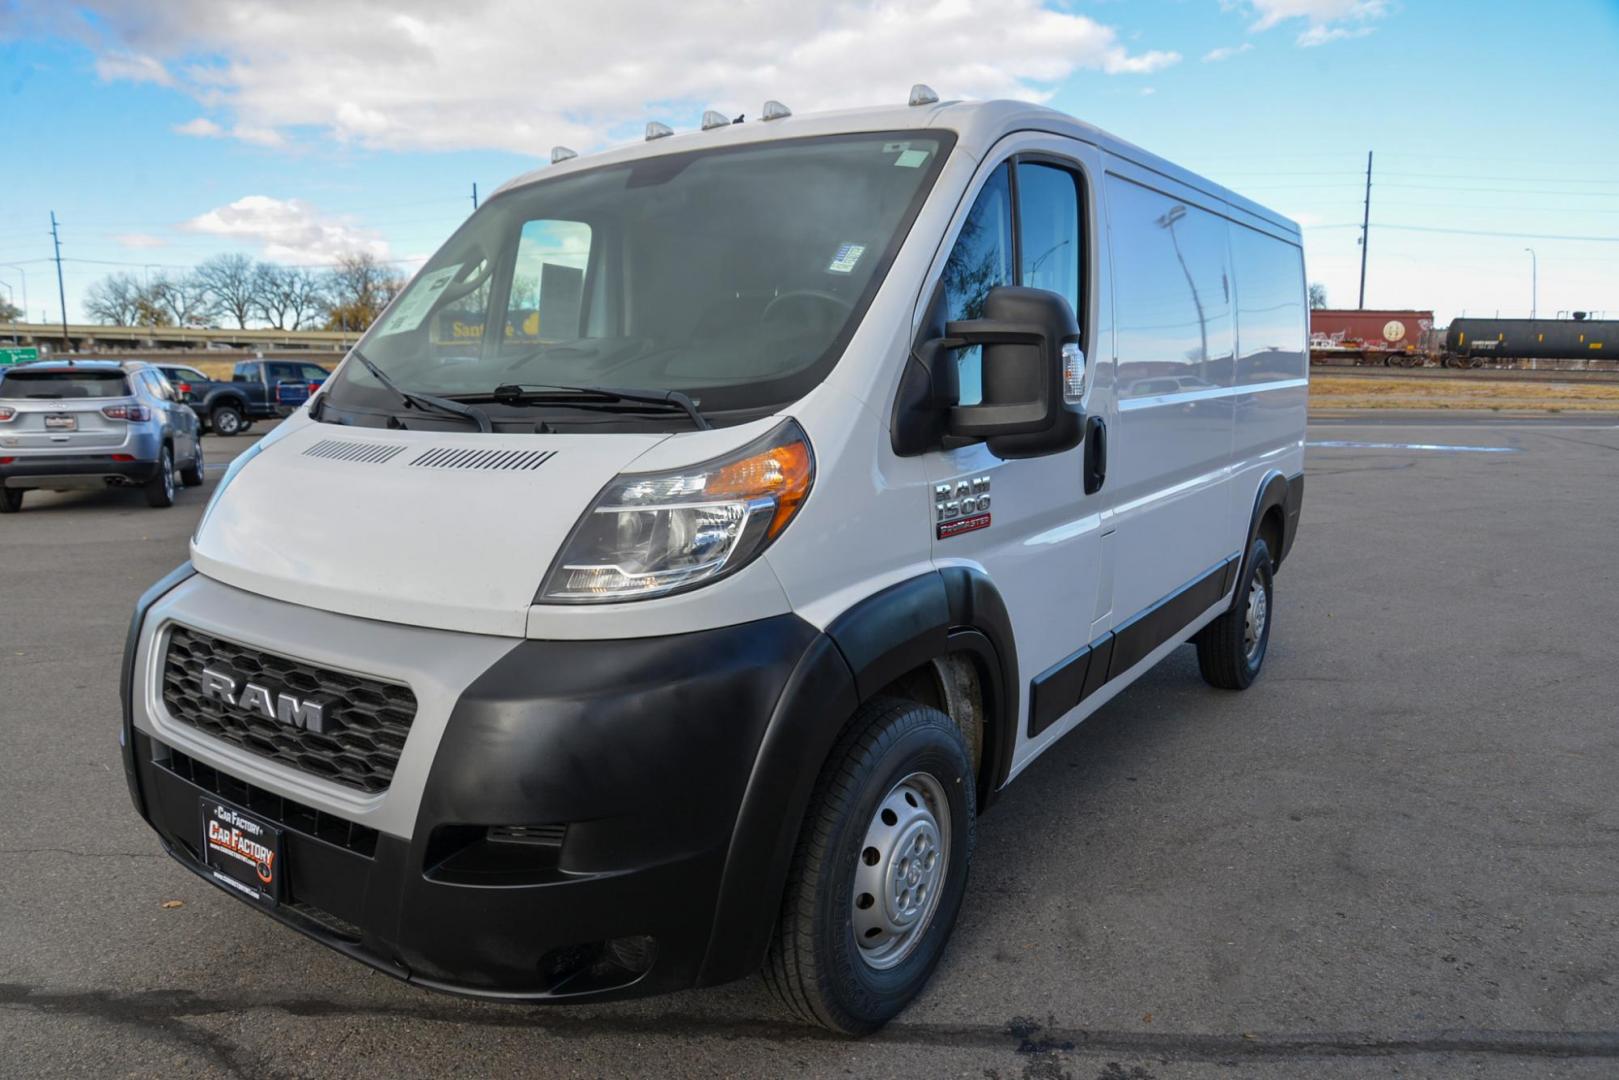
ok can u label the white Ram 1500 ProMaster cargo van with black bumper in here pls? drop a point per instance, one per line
(708, 534)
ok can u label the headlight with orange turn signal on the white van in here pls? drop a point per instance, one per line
(660, 534)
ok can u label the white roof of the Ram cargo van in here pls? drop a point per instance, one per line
(977, 127)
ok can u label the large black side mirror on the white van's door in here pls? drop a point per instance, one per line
(1032, 357)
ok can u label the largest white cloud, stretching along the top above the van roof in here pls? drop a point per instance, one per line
(522, 77)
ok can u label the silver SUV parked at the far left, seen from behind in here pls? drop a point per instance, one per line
(96, 423)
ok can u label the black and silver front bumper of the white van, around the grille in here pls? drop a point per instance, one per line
(631, 760)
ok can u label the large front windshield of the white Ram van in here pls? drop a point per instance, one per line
(734, 276)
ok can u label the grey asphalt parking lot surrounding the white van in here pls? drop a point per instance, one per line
(1395, 856)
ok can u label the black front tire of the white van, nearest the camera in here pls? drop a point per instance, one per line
(815, 966)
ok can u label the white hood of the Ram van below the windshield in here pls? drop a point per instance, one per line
(427, 529)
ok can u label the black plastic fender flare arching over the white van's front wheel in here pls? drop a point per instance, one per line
(956, 610)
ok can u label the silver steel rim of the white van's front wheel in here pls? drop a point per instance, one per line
(901, 870)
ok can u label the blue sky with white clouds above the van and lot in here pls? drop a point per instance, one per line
(295, 130)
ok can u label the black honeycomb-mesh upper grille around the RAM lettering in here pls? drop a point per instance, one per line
(367, 720)
